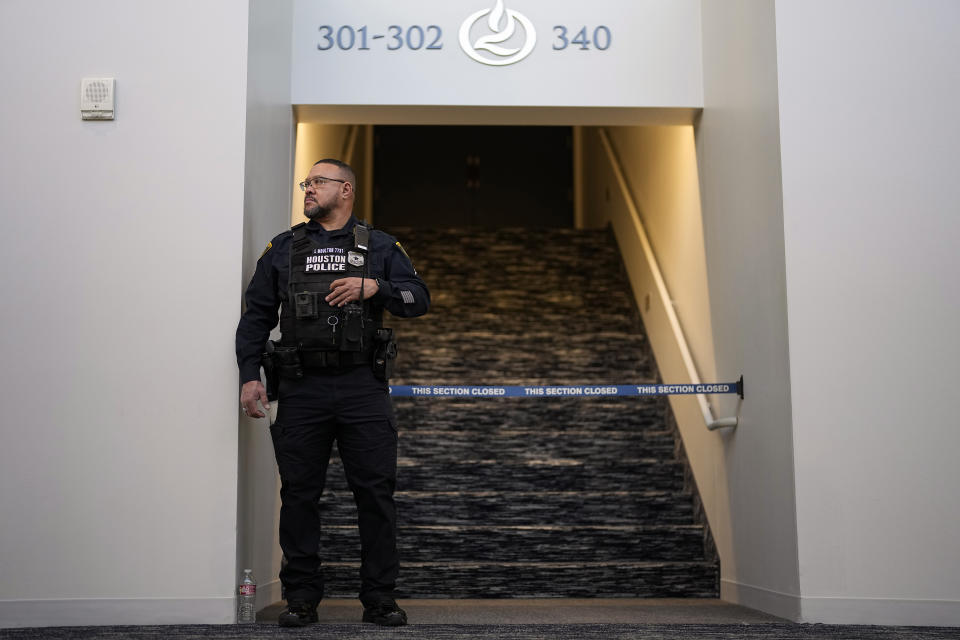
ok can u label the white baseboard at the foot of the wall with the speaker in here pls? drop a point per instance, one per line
(121, 611)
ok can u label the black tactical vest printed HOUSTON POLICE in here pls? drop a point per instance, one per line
(307, 321)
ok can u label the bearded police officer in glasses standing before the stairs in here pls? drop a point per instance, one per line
(330, 278)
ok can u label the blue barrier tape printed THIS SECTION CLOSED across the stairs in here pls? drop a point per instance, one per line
(409, 391)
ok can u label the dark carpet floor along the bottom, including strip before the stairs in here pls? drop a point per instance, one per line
(556, 619)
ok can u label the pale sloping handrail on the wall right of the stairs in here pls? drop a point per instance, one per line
(691, 367)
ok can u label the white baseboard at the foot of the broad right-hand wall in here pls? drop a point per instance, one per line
(882, 611)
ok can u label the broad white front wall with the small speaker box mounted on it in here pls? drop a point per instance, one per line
(118, 468)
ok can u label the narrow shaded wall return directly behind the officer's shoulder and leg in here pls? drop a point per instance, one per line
(266, 212)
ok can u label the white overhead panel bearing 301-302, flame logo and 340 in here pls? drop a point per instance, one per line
(642, 53)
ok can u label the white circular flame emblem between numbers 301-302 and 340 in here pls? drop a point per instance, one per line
(502, 25)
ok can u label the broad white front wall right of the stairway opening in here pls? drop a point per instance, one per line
(868, 92)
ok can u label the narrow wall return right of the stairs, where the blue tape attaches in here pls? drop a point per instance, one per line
(738, 152)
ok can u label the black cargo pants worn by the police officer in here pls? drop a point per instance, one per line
(352, 408)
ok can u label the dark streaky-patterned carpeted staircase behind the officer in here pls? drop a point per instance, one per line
(511, 497)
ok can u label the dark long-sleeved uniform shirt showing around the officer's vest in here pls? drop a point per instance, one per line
(402, 292)
